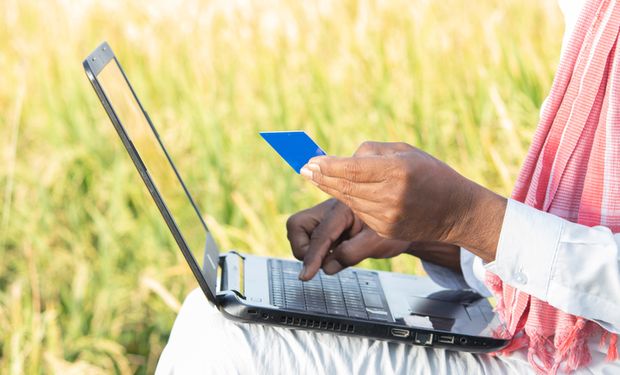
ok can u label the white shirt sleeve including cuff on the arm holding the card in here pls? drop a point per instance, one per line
(572, 267)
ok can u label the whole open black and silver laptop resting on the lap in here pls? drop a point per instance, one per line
(262, 290)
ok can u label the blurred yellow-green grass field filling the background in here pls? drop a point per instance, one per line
(90, 279)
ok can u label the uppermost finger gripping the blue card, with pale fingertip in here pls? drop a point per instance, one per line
(357, 168)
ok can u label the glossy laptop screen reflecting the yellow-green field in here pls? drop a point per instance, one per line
(184, 215)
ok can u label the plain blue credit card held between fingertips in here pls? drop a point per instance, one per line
(295, 147)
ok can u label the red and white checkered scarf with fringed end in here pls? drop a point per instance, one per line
(572, 170)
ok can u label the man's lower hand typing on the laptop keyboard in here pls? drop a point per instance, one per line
(331, 237)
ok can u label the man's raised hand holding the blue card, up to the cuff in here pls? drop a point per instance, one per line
(403, 193)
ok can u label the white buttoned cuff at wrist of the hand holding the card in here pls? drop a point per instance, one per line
(527, 249)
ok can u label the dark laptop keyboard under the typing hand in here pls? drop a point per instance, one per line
(350, 293)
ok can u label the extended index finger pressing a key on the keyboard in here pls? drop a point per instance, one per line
(323, 238)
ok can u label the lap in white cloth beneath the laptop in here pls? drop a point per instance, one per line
(204, 341)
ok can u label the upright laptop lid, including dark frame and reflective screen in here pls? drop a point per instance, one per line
(155, 166)
